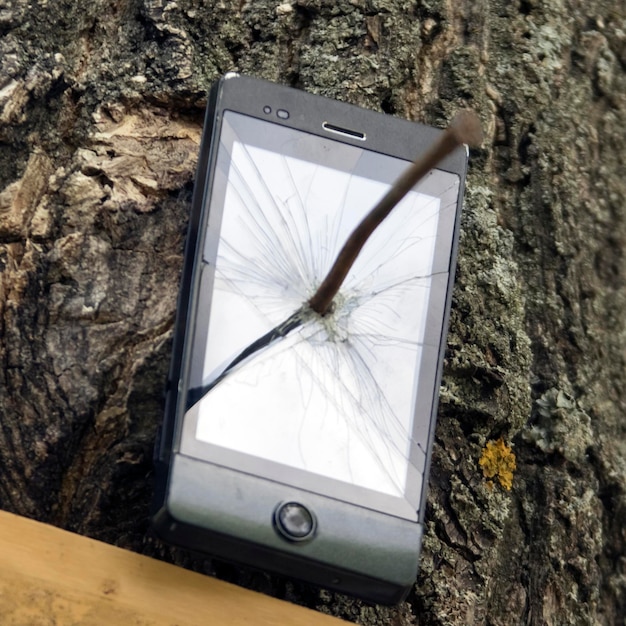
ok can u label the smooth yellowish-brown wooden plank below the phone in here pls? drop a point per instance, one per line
(52, 577)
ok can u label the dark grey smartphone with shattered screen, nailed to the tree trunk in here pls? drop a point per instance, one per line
(306, 451)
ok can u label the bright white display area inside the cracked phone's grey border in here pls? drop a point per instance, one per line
(336, 396)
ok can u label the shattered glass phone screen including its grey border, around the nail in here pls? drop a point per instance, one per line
(341, 404)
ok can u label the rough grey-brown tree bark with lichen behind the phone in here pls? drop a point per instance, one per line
(101, 109)
